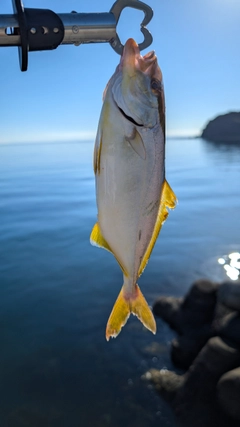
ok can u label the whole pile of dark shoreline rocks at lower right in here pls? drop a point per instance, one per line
(207, 347)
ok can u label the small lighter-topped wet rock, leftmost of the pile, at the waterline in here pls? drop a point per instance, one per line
(167, 383)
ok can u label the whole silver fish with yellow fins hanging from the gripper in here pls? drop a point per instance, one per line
(132, 193)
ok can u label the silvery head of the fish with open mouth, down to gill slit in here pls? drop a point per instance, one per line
(137, 87)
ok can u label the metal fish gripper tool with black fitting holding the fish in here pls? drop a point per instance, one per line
(42, 29)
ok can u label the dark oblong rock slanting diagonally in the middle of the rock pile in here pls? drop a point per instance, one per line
(186, 347)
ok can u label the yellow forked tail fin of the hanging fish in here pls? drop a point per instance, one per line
(123, 307)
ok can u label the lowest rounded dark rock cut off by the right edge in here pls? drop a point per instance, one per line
(228, 393)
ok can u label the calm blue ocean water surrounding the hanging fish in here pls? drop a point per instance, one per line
(57, 291)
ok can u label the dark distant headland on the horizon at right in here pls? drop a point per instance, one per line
(224, 128)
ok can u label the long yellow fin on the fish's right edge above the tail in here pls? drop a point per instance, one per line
(168, 200)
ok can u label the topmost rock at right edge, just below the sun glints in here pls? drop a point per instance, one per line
(229, 295)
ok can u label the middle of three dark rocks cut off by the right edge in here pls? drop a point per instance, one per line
(229, 328)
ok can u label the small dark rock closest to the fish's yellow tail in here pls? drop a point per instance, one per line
(168, 309)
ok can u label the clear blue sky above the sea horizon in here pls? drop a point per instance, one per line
(60, 96)
